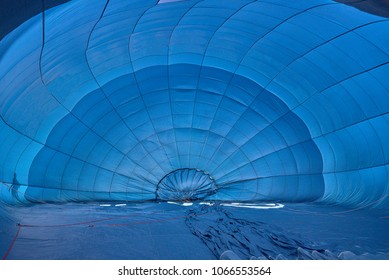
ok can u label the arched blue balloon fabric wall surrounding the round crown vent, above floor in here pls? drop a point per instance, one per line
(275, 100)
